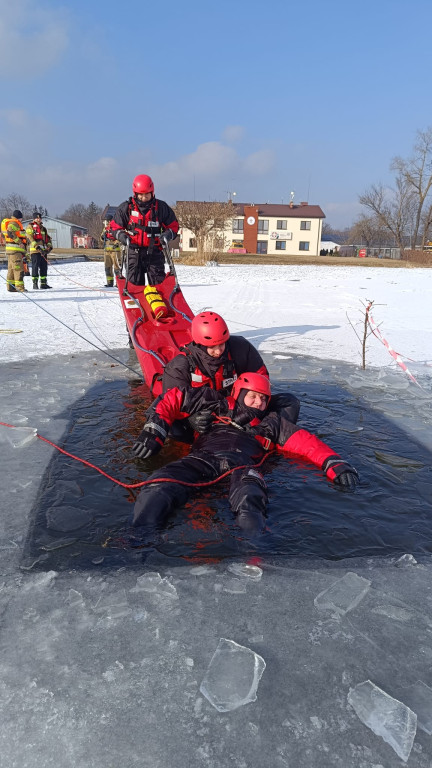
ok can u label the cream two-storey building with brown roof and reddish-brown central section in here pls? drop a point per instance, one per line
(292, 229)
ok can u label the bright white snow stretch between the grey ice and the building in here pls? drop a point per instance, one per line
(286, 309)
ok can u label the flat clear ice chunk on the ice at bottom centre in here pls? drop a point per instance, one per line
(232, 677)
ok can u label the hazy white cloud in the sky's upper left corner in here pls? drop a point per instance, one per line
(32, 38)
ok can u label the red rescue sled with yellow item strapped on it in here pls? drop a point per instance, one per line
(158, 320)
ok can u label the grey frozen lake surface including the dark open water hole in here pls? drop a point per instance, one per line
(118, 657)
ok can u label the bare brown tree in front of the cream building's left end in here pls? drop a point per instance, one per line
(206, 221)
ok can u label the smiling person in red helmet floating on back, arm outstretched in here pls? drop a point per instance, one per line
(242, 432)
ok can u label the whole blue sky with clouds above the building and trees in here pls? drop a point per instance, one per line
(209, 98)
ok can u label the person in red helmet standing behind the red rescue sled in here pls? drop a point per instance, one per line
(147, 222)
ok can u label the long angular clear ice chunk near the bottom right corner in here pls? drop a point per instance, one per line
(385, 716)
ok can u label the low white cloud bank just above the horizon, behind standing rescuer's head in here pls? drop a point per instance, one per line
(109, 179)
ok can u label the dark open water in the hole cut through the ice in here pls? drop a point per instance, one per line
(377, 420)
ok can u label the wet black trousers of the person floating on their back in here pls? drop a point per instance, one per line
(247, 493)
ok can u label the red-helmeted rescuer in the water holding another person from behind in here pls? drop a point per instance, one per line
(215, 359)
